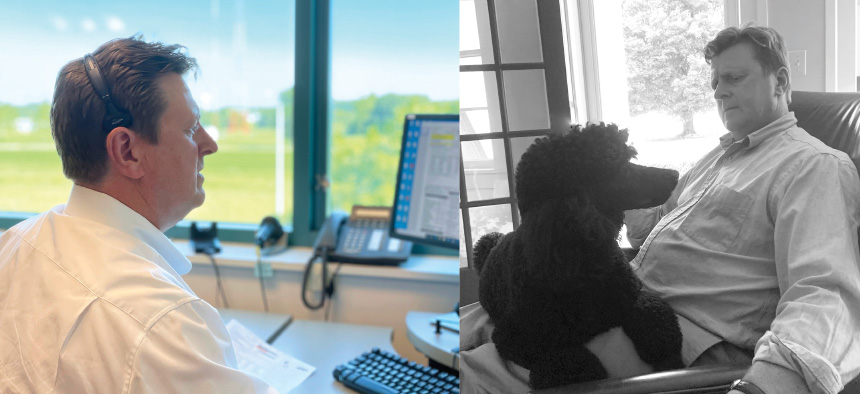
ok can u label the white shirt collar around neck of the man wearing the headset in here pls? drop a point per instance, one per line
(104, 209)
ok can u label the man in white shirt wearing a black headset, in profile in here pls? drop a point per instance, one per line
(91, 298)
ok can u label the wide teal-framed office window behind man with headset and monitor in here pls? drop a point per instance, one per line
(270, 91)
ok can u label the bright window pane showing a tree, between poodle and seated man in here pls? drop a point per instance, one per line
(658, 80)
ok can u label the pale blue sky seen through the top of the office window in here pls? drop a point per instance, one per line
(244, 47)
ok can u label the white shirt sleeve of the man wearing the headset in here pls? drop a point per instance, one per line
(188, 350)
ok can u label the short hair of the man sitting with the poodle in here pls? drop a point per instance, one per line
(767, 44)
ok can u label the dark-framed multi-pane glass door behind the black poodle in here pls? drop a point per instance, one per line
(509, 58)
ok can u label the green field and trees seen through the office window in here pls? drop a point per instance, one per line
(240, 178)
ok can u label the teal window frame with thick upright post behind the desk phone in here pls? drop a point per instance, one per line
(311, 122)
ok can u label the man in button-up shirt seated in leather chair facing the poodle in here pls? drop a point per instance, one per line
(757, 251)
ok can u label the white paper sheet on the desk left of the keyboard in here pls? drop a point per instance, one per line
(257, 357)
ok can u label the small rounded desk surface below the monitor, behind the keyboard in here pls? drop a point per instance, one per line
(437, 347)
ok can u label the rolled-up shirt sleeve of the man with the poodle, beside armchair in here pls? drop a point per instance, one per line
(815, 211)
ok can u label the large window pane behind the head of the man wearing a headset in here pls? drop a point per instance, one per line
(243, 88)
